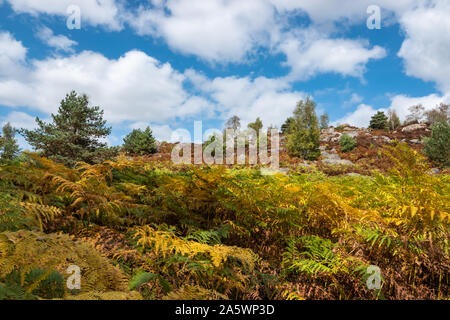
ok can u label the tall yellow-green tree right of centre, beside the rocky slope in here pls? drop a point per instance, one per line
(304, 133)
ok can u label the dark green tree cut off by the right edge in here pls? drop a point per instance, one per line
(437, 146)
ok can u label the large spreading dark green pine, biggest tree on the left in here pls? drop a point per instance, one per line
(74, 135)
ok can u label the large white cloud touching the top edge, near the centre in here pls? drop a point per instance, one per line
(215, 30)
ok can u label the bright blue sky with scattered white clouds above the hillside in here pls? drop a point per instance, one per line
(168, 63)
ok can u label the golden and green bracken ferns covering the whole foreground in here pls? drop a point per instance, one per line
(141, 230)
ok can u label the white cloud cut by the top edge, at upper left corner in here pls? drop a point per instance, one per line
(96, 13)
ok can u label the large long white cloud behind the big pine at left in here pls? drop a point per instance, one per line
(134, 87)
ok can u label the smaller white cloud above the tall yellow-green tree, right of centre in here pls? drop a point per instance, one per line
(308, 57)
